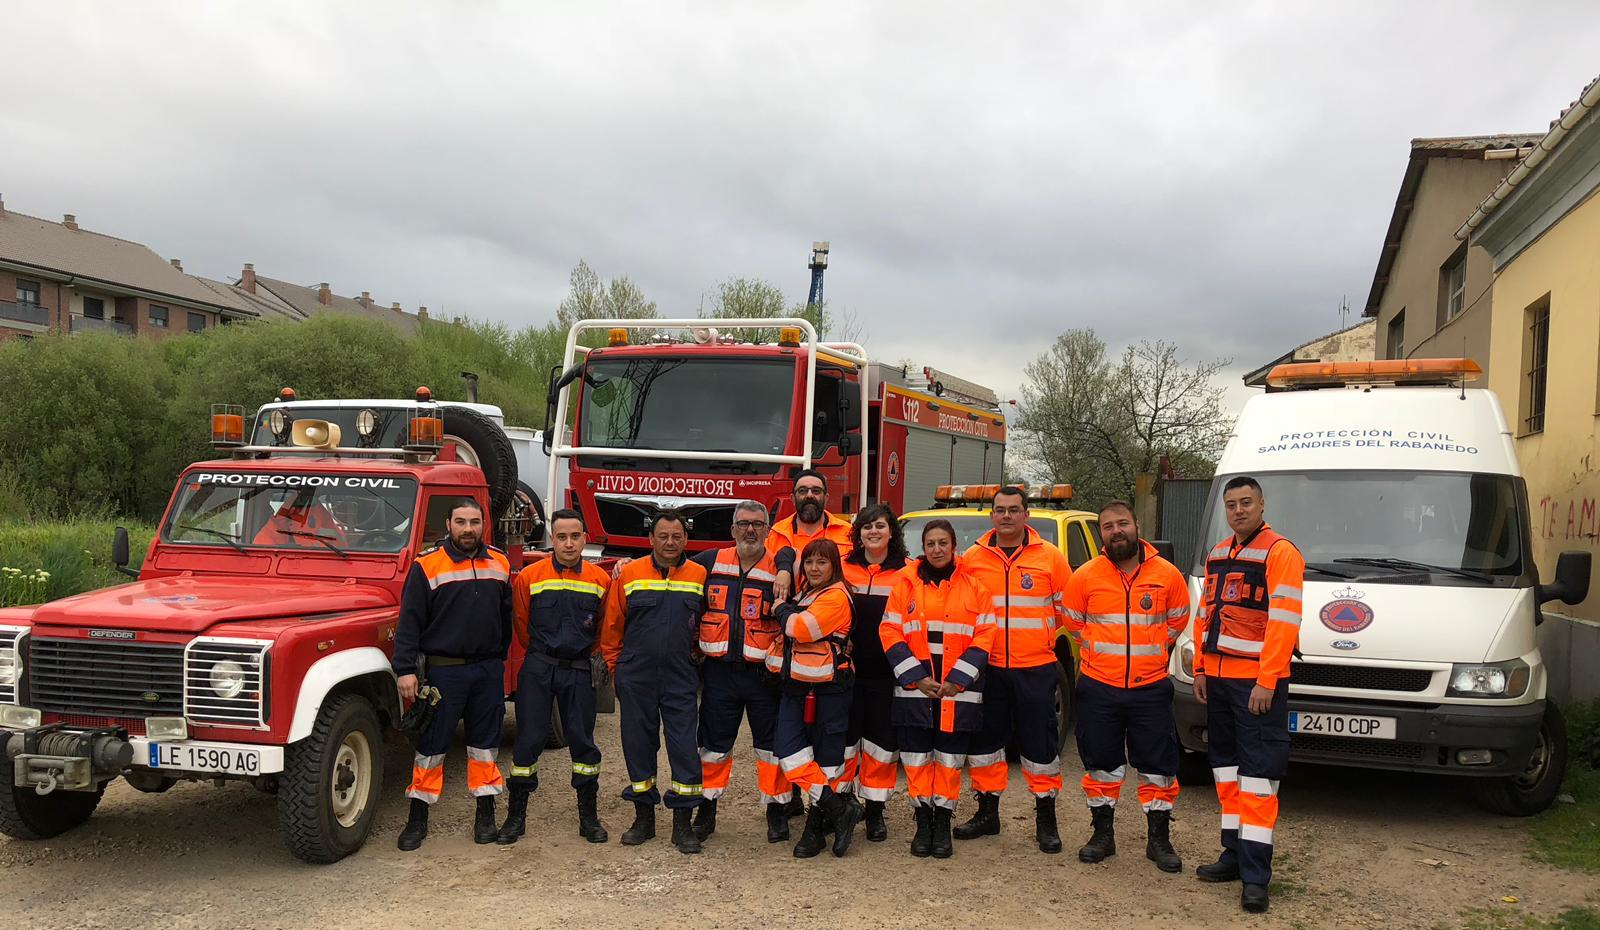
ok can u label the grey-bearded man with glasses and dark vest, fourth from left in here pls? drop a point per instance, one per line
(735, 635)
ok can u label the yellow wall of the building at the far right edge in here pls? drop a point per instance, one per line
(1562, 463)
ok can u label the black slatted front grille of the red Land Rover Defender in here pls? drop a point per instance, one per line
(113, 679)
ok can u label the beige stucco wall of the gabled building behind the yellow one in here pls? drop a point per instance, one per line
(1449, 193)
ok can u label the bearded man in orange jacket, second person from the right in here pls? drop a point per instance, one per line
(1126, 609)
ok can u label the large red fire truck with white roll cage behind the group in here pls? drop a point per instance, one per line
(692, 419)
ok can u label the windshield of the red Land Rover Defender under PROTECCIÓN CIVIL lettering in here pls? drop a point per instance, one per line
(294, 511)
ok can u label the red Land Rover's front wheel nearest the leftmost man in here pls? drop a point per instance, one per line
(330, 784)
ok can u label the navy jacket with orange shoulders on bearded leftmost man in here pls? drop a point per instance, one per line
(454, 606)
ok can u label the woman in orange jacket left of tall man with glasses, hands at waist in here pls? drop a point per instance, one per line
(937, 633)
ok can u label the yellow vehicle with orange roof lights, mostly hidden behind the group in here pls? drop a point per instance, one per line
(1074, 532)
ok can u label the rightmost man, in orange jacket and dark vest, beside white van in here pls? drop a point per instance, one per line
(1246, 635)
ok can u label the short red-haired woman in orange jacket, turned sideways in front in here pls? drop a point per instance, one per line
(812, 662)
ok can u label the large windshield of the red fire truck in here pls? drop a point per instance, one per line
(689, 404)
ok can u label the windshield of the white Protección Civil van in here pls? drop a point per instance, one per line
(1454, 521)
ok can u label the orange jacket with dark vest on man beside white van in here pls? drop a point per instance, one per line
(1249, 617)
